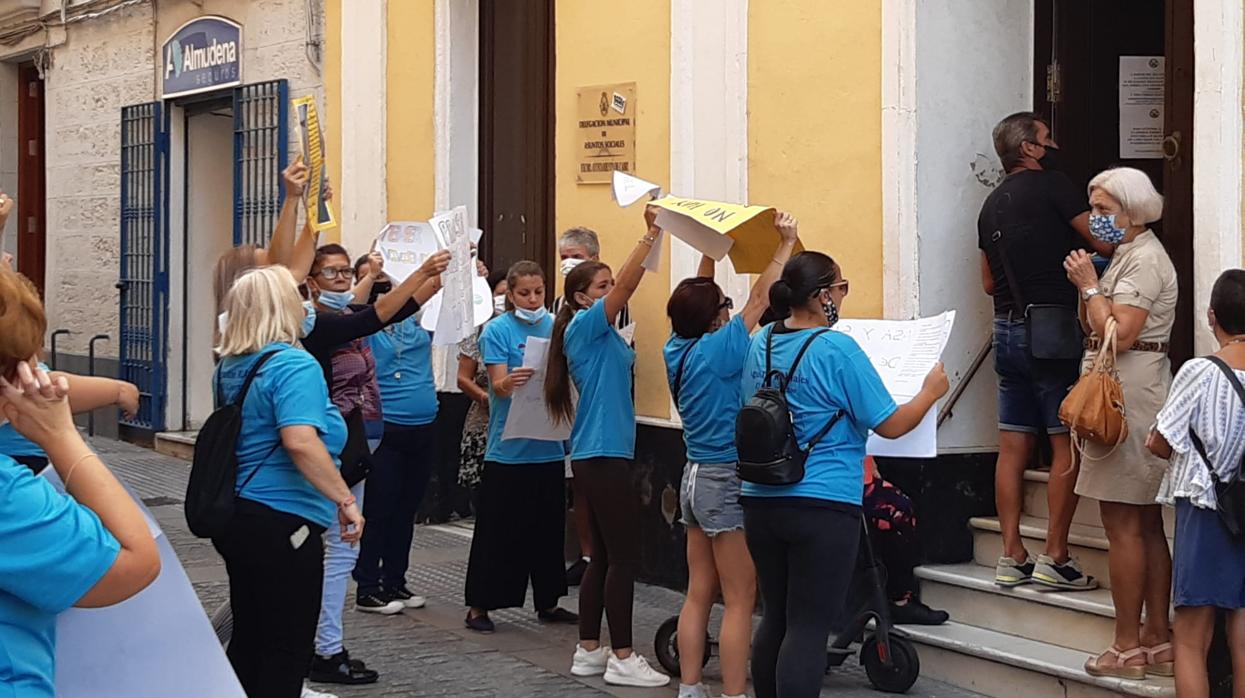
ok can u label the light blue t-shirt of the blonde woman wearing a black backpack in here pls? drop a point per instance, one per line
(289, 391)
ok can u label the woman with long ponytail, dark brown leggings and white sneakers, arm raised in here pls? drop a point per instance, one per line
(588, 350)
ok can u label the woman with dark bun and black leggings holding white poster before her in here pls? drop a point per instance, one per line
(804, 537)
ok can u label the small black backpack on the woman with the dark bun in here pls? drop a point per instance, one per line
(765, 436)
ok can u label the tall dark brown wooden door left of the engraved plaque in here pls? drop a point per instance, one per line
(516, 139)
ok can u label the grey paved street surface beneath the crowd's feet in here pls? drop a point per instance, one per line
(428, 651)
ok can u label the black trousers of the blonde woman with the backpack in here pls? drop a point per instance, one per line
(275, 594)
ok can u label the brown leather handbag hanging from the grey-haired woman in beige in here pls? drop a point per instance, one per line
(1095, 407)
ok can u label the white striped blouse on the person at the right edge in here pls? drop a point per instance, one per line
(1203, 399)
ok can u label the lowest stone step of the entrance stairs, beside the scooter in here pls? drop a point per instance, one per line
(1007, 666)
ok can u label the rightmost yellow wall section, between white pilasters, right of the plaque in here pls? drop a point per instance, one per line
(815, 131)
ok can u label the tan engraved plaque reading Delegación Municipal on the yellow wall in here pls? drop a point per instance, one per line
(606, 118)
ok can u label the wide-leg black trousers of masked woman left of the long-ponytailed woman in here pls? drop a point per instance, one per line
(520, 534)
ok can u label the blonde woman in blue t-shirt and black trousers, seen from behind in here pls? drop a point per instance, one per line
(289, 488)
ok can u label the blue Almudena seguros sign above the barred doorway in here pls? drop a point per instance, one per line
(205, 54)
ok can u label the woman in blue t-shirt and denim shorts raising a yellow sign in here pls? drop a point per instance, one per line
(704, 364)
